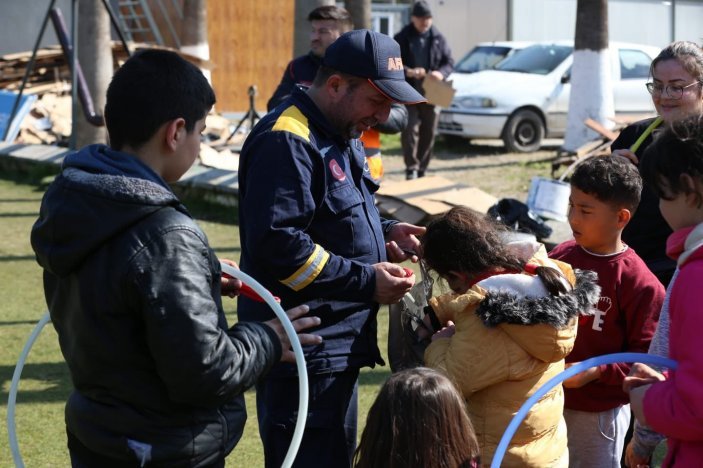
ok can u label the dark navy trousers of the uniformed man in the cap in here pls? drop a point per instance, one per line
(330, 431)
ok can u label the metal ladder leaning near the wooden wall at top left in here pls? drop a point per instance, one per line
(136, 20)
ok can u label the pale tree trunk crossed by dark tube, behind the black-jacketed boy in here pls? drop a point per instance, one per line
(95, 58)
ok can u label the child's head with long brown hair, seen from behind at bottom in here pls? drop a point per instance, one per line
(418, 420)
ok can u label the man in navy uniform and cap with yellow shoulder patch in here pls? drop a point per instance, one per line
(311, 234)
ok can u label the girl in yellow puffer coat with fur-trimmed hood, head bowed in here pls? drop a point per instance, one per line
(505, 330)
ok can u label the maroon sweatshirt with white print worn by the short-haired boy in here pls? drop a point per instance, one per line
(625, 320)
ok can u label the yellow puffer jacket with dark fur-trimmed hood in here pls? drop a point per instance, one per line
(511, 337)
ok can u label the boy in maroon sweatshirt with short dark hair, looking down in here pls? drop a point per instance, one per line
(605, 192)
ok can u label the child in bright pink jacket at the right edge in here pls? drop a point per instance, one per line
(673, 166)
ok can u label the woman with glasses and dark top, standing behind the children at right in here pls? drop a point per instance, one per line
(677, 92)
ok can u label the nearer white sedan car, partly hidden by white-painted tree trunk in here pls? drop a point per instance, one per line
(525, 97)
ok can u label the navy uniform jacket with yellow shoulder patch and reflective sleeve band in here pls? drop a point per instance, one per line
(310, 231)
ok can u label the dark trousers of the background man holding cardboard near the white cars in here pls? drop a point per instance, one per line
(418, 136)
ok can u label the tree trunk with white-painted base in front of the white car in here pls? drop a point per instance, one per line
(591, 88)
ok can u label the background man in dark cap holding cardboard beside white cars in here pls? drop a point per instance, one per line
(426, 55)
